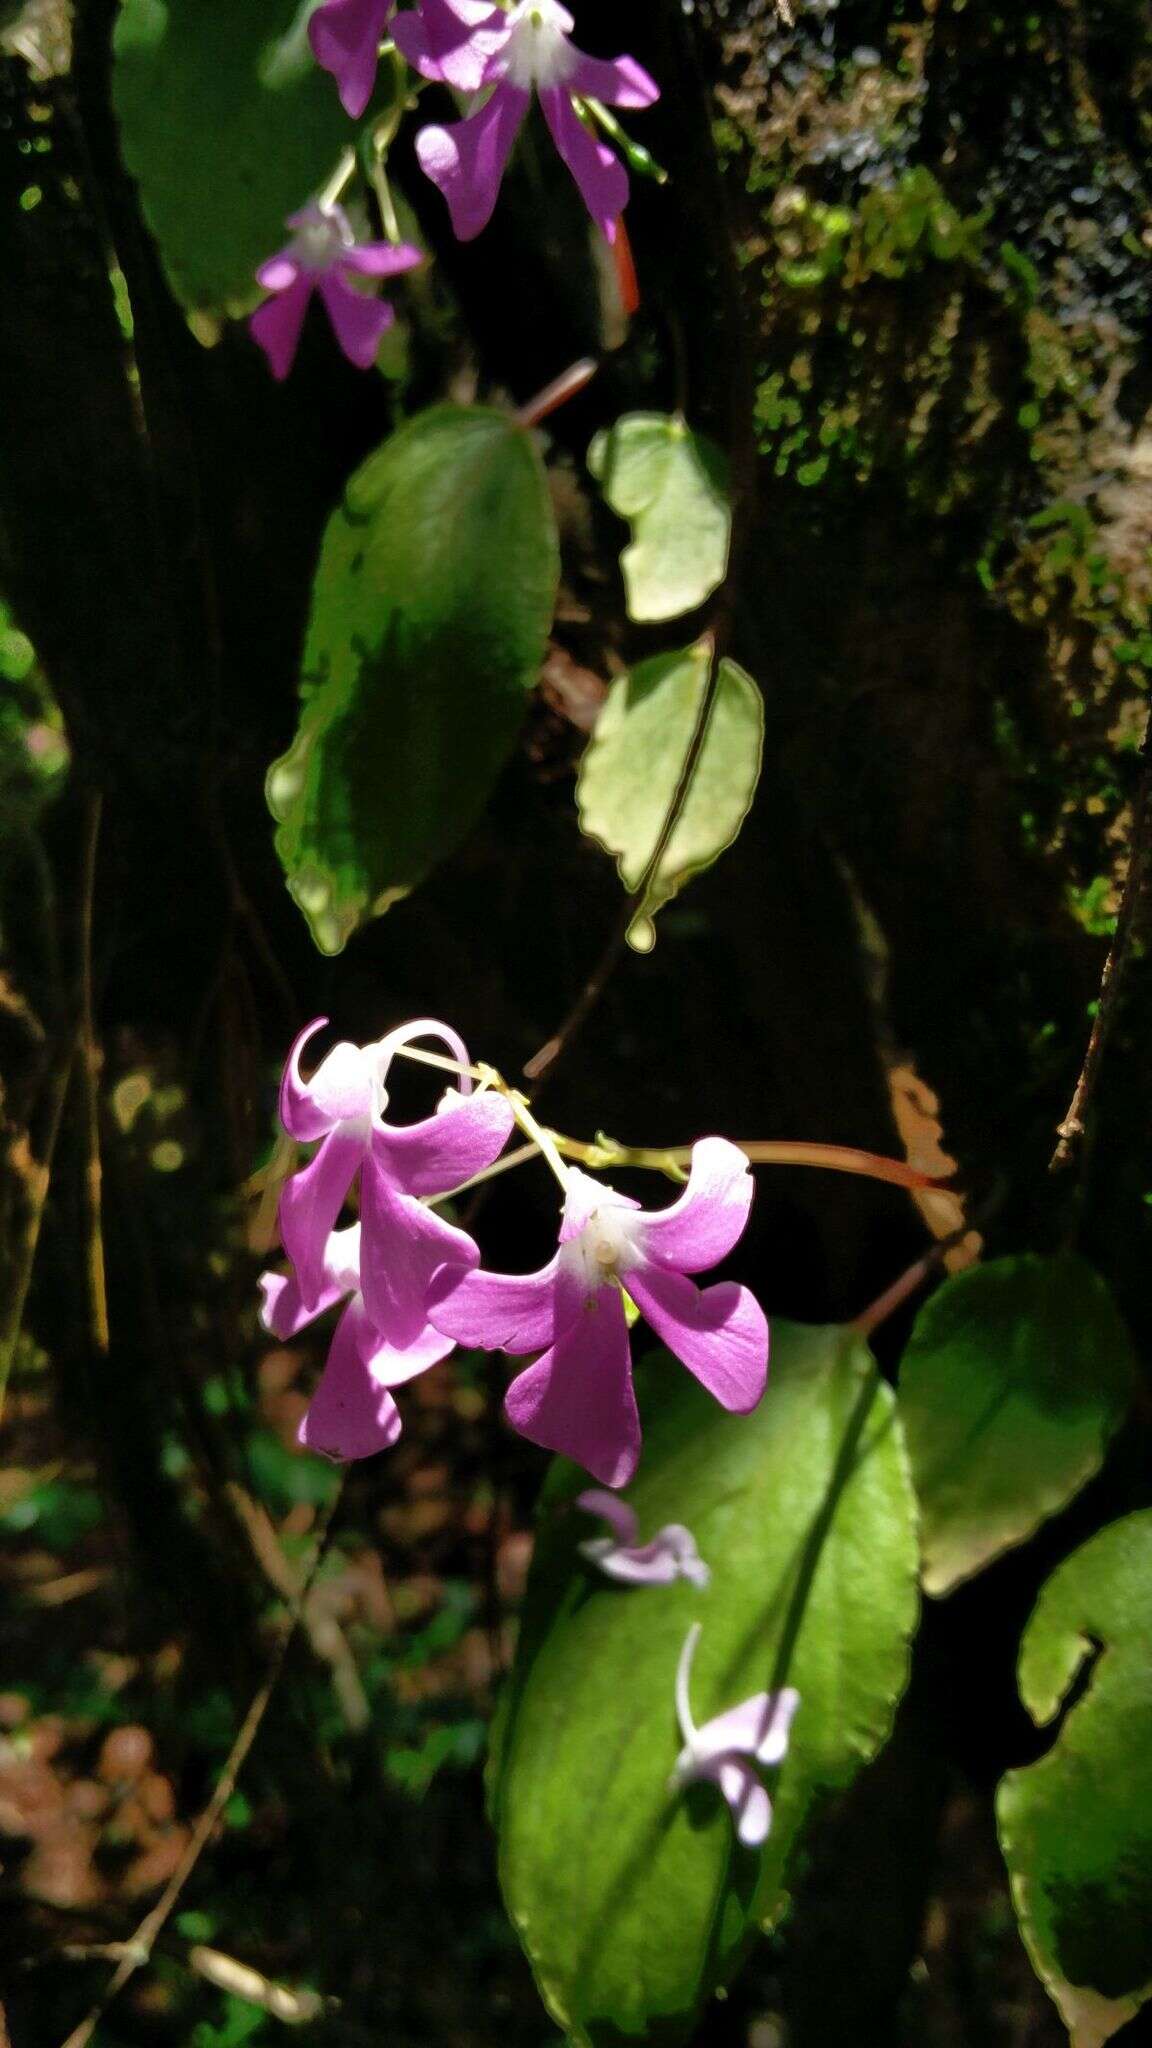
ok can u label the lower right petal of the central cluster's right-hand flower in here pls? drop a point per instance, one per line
(718, 1332)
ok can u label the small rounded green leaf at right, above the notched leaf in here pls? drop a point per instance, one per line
(1014, 1381)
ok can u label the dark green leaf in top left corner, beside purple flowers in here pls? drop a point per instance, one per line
(229, 128)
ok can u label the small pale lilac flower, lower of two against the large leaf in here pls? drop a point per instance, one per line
(725, 1750)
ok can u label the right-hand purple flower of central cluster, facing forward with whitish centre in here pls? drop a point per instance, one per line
(579, 1396)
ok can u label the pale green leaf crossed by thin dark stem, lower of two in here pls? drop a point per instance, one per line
(634, 763)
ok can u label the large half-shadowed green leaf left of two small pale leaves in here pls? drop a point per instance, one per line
(429, 622)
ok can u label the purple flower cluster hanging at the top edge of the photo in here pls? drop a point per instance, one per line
(497, 58)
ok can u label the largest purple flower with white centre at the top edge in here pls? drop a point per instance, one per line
(520, 52)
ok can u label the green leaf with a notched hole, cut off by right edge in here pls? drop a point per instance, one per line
(1077, 1828)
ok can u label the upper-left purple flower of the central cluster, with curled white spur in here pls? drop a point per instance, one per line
(407, 1244)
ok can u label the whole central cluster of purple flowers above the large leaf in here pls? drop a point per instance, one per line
(411, 1281)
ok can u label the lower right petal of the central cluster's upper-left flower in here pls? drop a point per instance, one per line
(405, 1248)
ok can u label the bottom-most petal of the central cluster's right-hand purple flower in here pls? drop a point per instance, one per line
(579, 1396)
